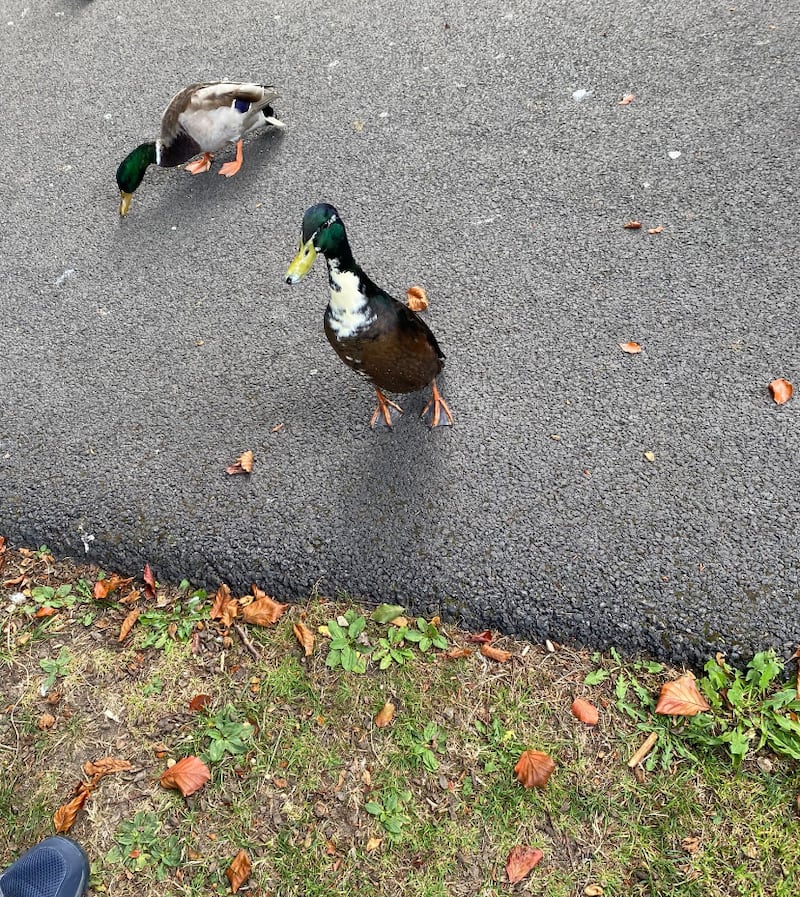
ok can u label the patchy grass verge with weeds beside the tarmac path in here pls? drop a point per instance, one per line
(326, 803)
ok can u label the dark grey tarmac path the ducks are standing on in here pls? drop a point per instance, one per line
(138, 358)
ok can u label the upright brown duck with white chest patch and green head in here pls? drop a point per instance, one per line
(377, 336)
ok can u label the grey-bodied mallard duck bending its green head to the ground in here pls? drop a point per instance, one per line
(202, 118)
